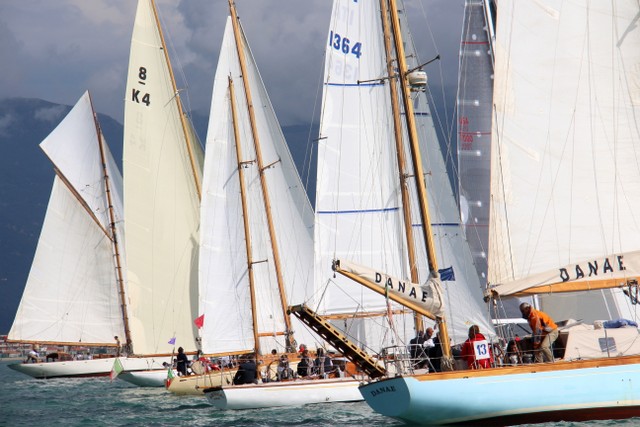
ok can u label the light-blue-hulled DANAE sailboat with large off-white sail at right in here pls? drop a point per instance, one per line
(562, 218)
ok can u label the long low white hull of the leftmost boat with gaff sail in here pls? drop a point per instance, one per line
(66, 369)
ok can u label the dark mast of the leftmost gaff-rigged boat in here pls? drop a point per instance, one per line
(114, 234)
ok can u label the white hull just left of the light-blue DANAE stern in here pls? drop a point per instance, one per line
(290, 393)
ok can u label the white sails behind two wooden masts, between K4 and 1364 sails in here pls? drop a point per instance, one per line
(224, 270)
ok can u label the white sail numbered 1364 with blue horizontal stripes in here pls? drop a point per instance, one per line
(358, 206)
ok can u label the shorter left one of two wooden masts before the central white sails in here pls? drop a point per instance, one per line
(245, 218)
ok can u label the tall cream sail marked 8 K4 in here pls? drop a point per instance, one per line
(161, 199)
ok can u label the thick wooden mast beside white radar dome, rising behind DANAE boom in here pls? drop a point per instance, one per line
(417, 165)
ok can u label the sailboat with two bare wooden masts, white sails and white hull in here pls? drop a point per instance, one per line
(257, 244)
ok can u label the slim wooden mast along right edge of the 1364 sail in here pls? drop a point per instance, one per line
(403, 176)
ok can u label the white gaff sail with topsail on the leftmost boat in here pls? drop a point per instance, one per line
(72, 293)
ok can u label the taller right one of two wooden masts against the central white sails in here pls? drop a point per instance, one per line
(261, 169)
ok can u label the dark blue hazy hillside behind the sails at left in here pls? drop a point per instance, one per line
(26, 177)
